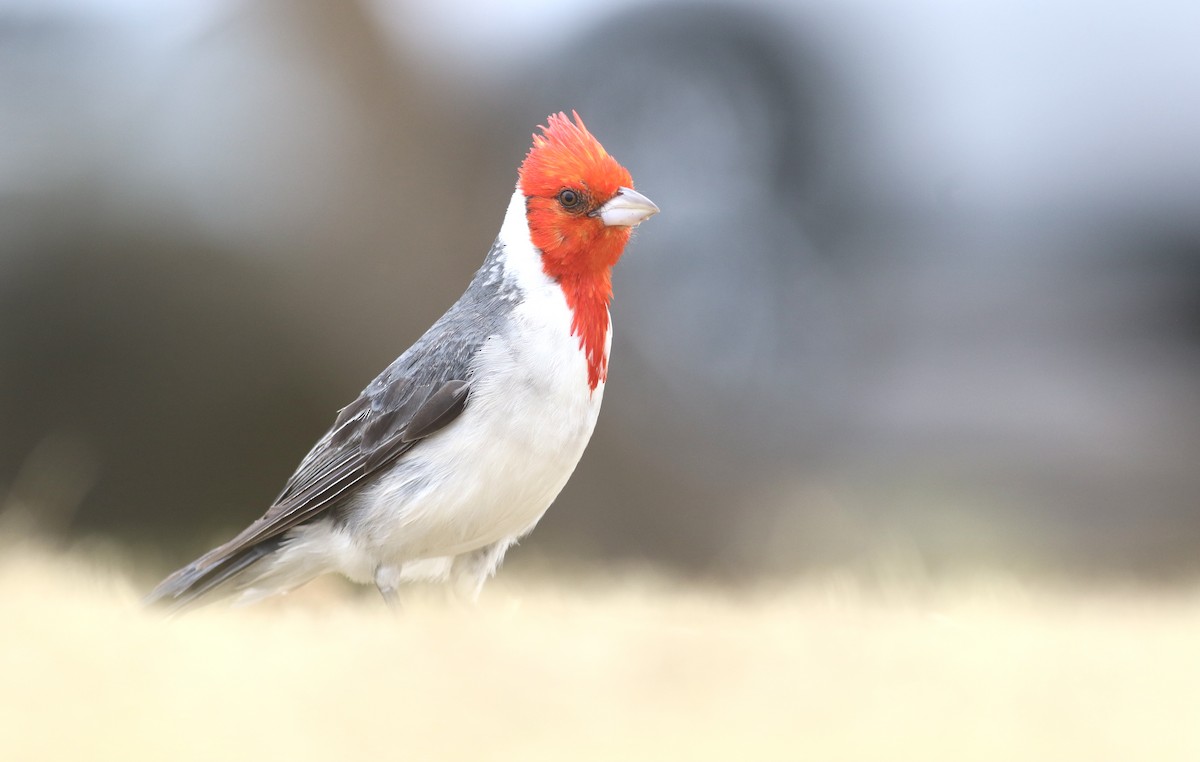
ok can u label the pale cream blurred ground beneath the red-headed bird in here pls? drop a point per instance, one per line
(633, 668)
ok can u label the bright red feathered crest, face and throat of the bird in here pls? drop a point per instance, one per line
(578, 250)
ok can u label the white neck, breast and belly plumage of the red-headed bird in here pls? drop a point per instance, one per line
(495, 471)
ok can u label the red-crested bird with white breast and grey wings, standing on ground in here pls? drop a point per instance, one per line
(458, 448)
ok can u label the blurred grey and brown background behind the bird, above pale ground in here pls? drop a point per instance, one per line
(926, 285)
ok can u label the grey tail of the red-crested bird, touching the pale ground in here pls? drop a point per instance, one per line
(213, 577)
